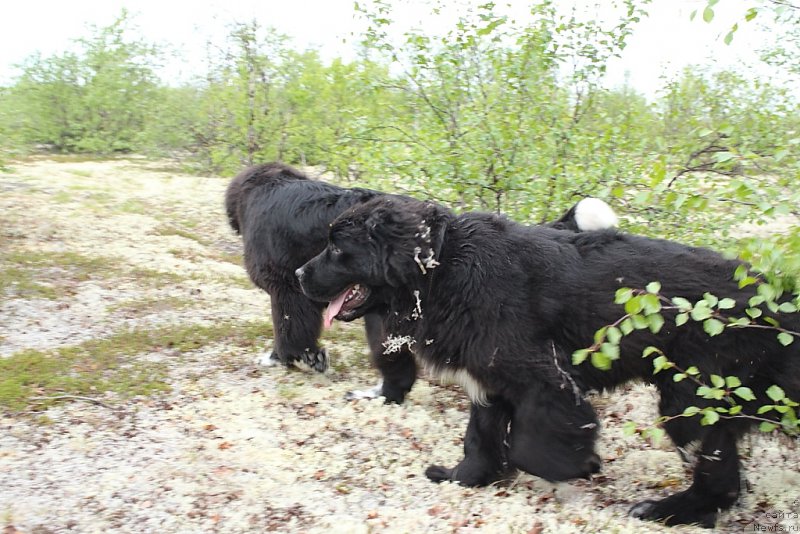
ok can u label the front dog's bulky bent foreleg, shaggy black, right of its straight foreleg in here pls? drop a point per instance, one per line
(553, 432)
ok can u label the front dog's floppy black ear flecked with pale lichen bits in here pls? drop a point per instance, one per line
(410, 234)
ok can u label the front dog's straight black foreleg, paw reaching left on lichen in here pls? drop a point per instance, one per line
(485, 448)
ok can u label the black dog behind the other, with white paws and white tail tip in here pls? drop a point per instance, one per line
(284, 218)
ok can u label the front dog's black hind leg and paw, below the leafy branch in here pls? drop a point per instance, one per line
(715, 487)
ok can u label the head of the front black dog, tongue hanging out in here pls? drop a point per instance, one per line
(374, 249)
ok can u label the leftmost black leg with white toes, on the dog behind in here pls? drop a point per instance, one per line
(297, 323)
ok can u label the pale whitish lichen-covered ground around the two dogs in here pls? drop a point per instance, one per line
(236, 448)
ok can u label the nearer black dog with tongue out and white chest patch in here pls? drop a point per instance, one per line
(501, 307)
